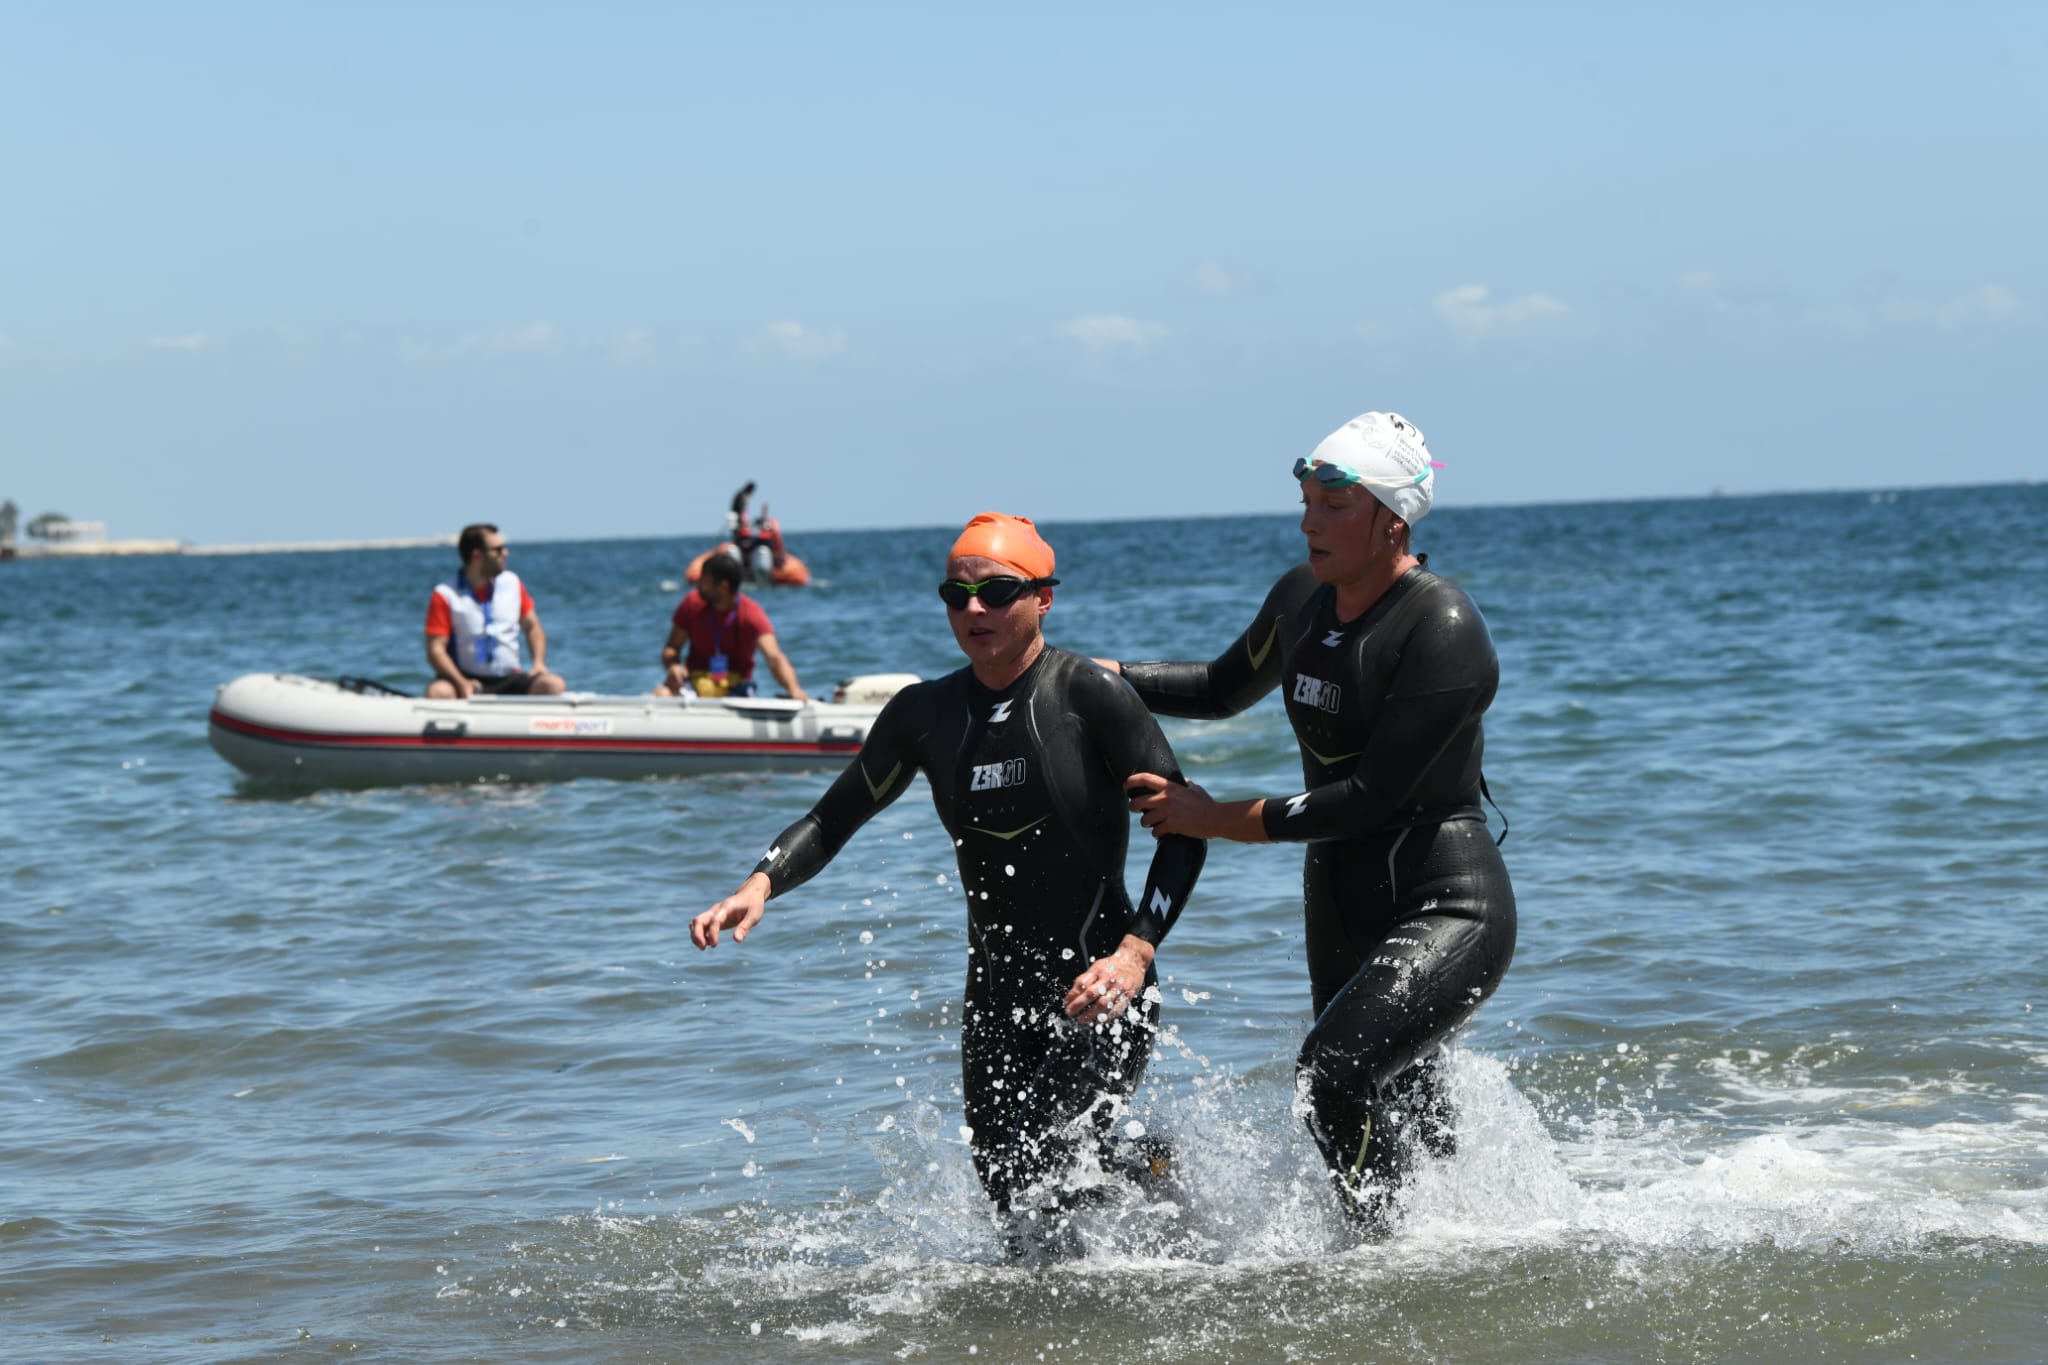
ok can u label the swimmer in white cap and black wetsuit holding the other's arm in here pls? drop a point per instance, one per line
(1410, 914)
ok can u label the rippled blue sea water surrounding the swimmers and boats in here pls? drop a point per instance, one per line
(433, 1073)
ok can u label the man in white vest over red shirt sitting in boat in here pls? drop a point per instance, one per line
(476, 621)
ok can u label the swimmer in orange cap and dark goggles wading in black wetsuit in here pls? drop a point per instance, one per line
(1027, 750)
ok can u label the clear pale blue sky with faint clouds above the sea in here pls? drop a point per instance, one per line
(382, 269)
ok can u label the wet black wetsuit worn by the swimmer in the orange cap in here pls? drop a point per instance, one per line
(1031, 787)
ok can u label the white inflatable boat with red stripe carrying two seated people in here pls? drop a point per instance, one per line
(312, 732)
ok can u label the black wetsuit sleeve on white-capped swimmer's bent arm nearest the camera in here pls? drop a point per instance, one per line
(1439, 693)
